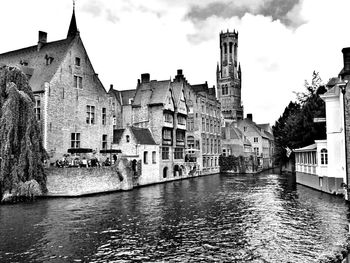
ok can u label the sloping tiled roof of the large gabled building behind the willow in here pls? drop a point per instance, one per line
(36, 60)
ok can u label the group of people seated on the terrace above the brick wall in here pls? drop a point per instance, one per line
(83, 162)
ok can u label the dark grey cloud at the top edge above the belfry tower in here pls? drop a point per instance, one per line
(284, 10)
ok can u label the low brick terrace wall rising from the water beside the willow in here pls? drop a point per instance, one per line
(83, 181)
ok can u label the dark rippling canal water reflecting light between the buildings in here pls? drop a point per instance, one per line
(220, 218)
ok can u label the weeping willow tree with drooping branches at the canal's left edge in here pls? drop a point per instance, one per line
(21, 150)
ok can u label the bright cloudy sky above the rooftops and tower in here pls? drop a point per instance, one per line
(281, 42)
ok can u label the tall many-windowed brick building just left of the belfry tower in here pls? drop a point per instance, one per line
(203, 124)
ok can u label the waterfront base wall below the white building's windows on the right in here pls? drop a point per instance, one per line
(331, 185)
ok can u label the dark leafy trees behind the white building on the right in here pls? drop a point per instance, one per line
(296, 128)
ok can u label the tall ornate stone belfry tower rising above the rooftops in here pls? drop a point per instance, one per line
(228, 77)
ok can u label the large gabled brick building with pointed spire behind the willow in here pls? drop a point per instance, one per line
(74, 109)
